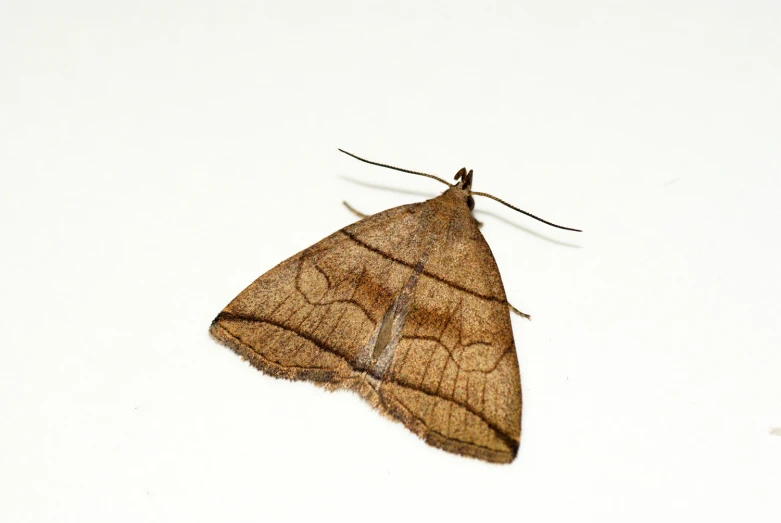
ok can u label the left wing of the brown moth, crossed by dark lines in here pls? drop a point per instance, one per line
(308, 317)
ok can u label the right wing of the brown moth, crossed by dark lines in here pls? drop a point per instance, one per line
(454, 379)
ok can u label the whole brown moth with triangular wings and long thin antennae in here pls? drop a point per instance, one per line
(405, 307)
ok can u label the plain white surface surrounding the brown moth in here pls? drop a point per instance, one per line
(156, 157)
